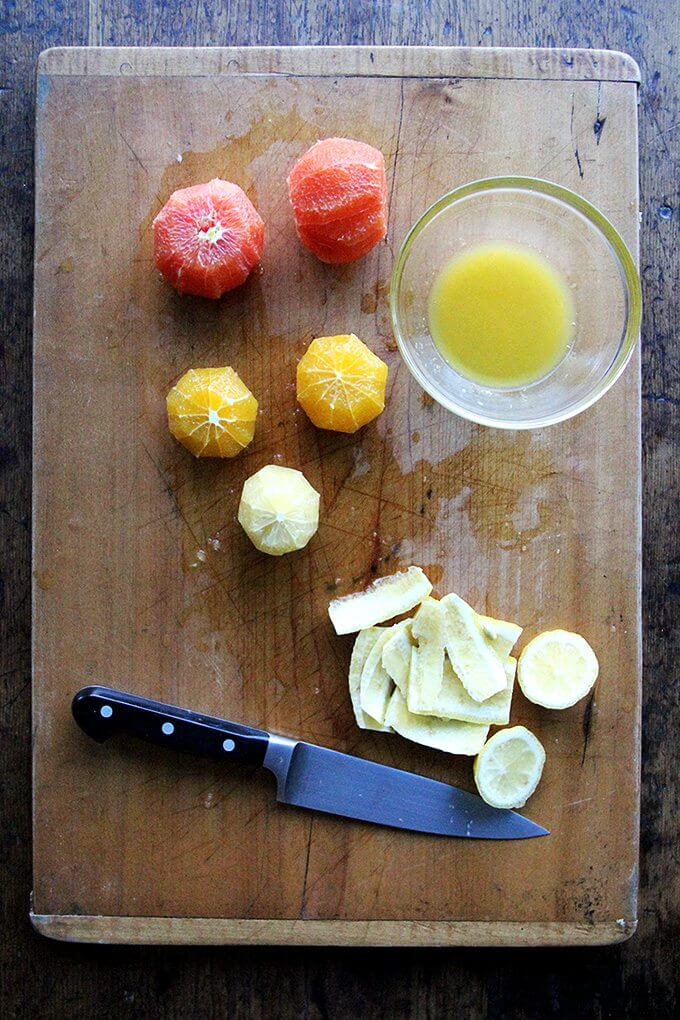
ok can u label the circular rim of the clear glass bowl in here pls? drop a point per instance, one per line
(599, 221)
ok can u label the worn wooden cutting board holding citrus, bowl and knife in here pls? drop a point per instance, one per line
(143, 579)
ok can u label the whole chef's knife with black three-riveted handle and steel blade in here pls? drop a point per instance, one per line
(307, 777)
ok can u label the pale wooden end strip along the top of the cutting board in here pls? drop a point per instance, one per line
(422, 62)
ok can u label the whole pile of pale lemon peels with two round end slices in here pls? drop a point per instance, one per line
(445, 676)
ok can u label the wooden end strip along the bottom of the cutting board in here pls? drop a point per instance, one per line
(260, 932)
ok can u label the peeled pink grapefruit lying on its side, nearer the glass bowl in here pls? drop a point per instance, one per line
(339, 193)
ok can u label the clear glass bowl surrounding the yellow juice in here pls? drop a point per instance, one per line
(578, 241)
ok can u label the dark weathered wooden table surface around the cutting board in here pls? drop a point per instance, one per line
(40, 979)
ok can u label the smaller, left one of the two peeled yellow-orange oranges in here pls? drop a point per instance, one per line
(213, 413)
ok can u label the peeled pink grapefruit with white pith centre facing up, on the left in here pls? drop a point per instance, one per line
(208, 239)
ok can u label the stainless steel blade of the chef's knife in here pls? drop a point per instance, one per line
(309, 777)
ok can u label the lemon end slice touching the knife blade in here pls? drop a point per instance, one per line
(509, 768)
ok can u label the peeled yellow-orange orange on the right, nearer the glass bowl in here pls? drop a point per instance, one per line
(341, 383)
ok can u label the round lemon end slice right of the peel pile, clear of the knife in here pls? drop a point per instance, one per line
(557, 670)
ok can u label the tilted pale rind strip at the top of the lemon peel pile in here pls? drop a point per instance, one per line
(385, 599)
